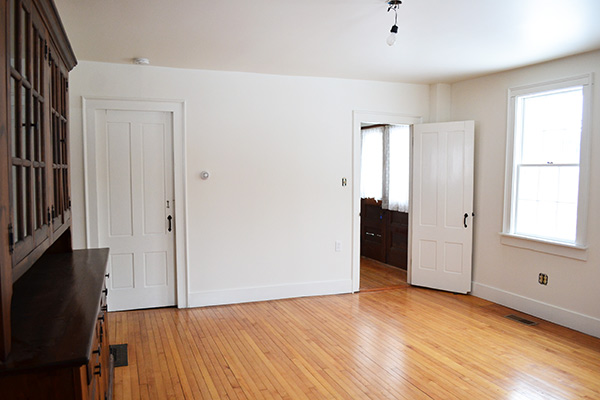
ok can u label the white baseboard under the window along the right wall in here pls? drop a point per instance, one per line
(570, 319)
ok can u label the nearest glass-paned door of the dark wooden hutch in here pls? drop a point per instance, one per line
(27, 138)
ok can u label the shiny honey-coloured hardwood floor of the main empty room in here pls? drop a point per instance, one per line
(407, 343)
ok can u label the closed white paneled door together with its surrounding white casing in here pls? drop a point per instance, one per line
(130, 190)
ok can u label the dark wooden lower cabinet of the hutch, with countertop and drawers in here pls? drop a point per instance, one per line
(59, 330)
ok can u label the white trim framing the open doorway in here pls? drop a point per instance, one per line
(359, 117)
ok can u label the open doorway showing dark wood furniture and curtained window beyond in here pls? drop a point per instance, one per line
(384, 187)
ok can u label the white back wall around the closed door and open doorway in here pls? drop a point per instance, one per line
(265, 223)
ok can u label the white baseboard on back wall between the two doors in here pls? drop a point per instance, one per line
(262, 293)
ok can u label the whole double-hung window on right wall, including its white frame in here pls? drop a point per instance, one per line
(547, 163)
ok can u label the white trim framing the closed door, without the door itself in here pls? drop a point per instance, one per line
(92, 105)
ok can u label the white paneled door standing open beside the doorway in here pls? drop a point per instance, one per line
(442, 206)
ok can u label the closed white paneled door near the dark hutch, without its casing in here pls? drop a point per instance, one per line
(136, 207)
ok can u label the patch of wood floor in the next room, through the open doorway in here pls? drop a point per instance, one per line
(375, 275)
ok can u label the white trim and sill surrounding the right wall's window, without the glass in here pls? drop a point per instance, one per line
(577, 250)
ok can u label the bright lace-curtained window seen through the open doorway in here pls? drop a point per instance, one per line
(385, 162)
